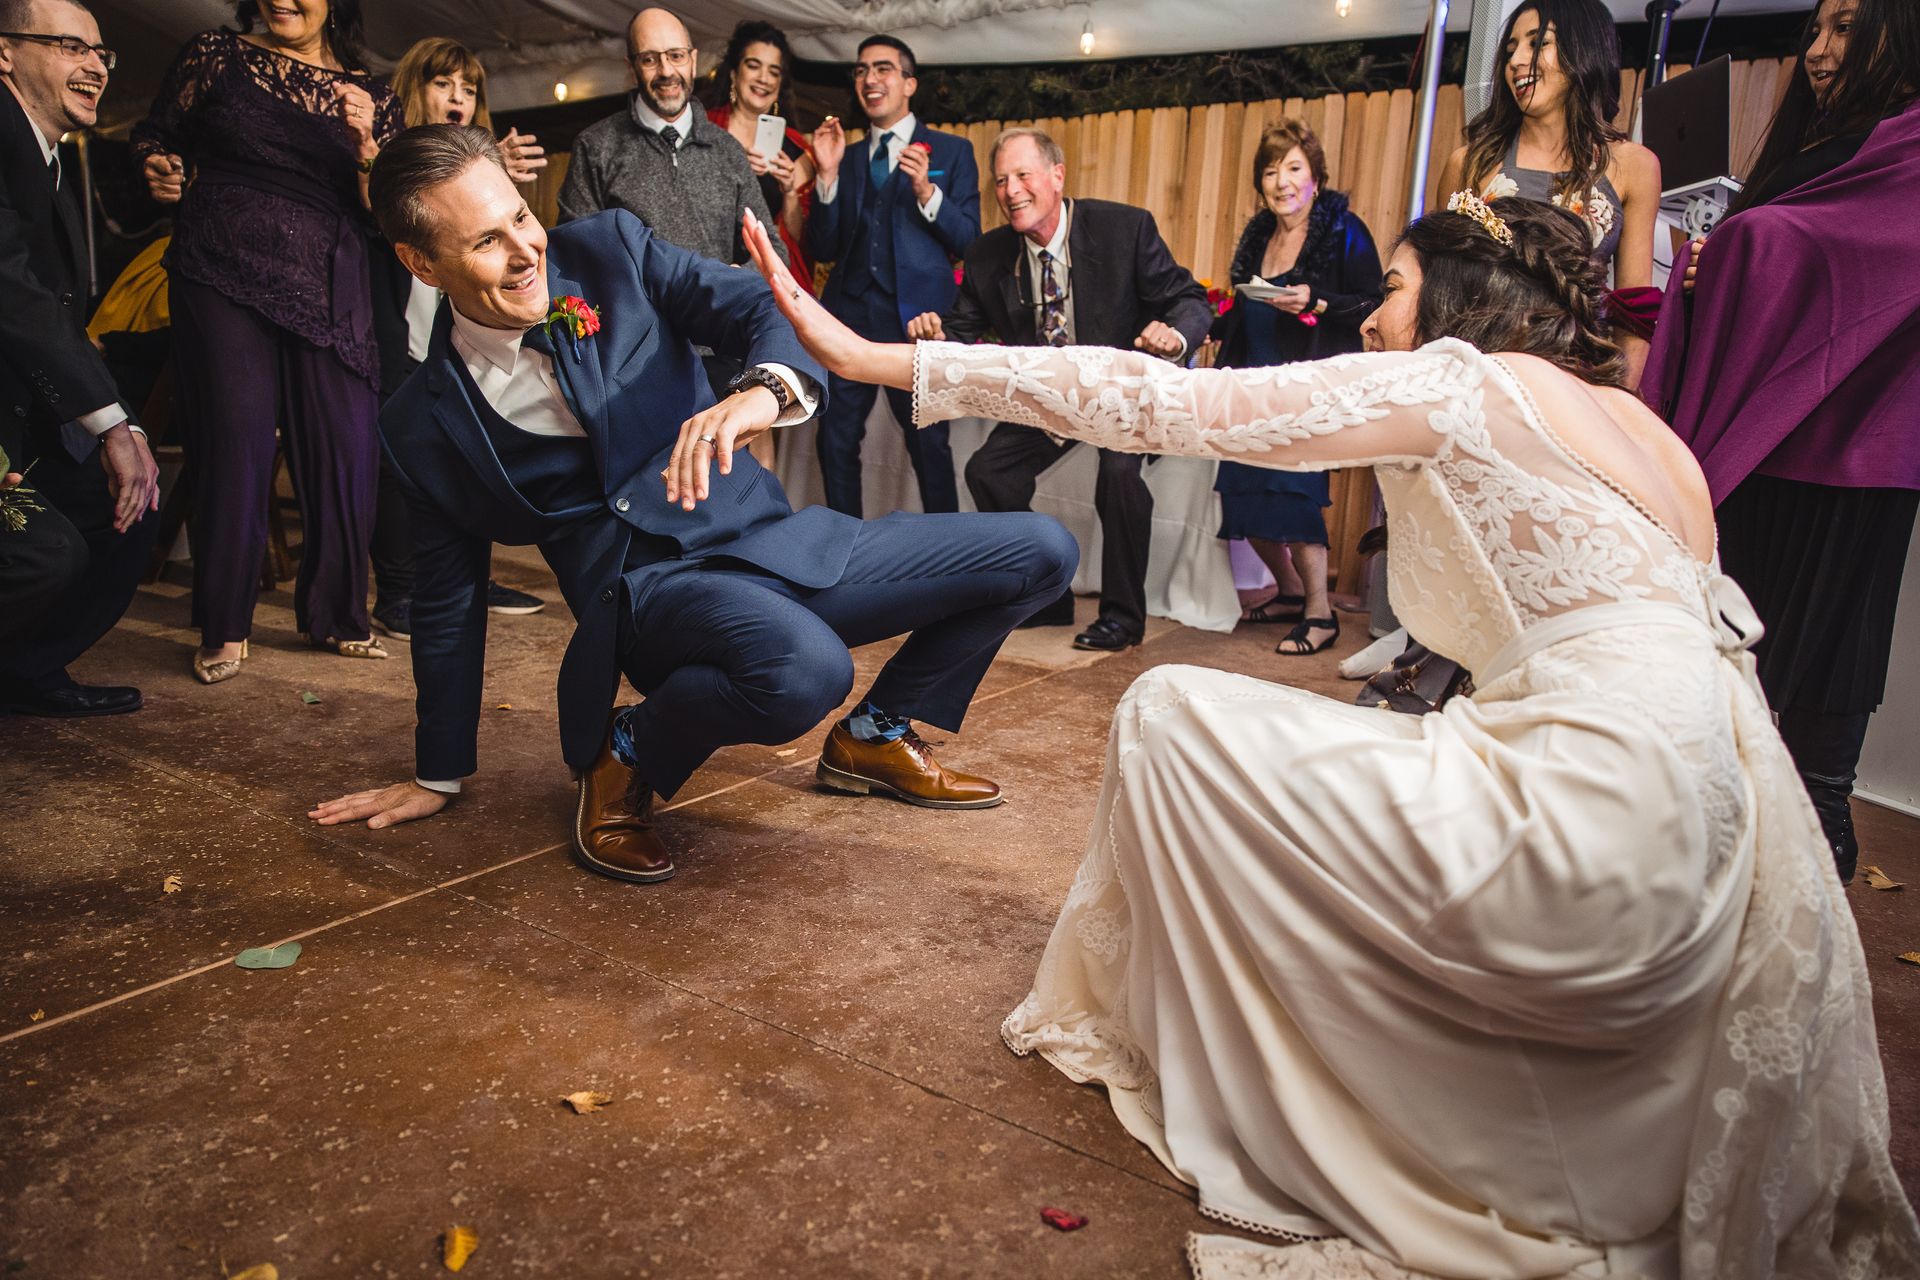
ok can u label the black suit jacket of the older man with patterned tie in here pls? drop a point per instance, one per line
(1122, 277)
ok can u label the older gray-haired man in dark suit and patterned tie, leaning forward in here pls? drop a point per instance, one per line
(1072, 272)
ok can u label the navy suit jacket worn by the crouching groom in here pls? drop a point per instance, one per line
(631, 385)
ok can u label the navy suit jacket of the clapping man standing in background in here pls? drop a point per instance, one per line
(923, 252)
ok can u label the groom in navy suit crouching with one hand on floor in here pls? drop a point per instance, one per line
(729, 609)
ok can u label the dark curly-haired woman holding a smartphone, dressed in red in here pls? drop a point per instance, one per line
(756, 74)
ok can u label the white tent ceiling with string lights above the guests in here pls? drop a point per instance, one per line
(529, 45)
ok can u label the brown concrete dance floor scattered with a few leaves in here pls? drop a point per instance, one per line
(798, 1033)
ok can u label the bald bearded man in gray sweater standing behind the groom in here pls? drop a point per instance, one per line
(661, 158)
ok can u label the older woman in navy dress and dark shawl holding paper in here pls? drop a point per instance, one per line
(1318, 252)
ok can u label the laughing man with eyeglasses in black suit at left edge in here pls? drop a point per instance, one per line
(80, 477)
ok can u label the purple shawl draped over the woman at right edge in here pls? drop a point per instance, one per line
(1800, 352)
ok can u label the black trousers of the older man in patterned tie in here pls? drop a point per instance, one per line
(1005, 471)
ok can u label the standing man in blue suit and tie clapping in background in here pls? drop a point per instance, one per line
(892, 222)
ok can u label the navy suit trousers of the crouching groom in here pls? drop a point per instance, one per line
(731, 655)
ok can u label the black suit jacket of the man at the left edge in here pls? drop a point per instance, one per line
(49, 371)
